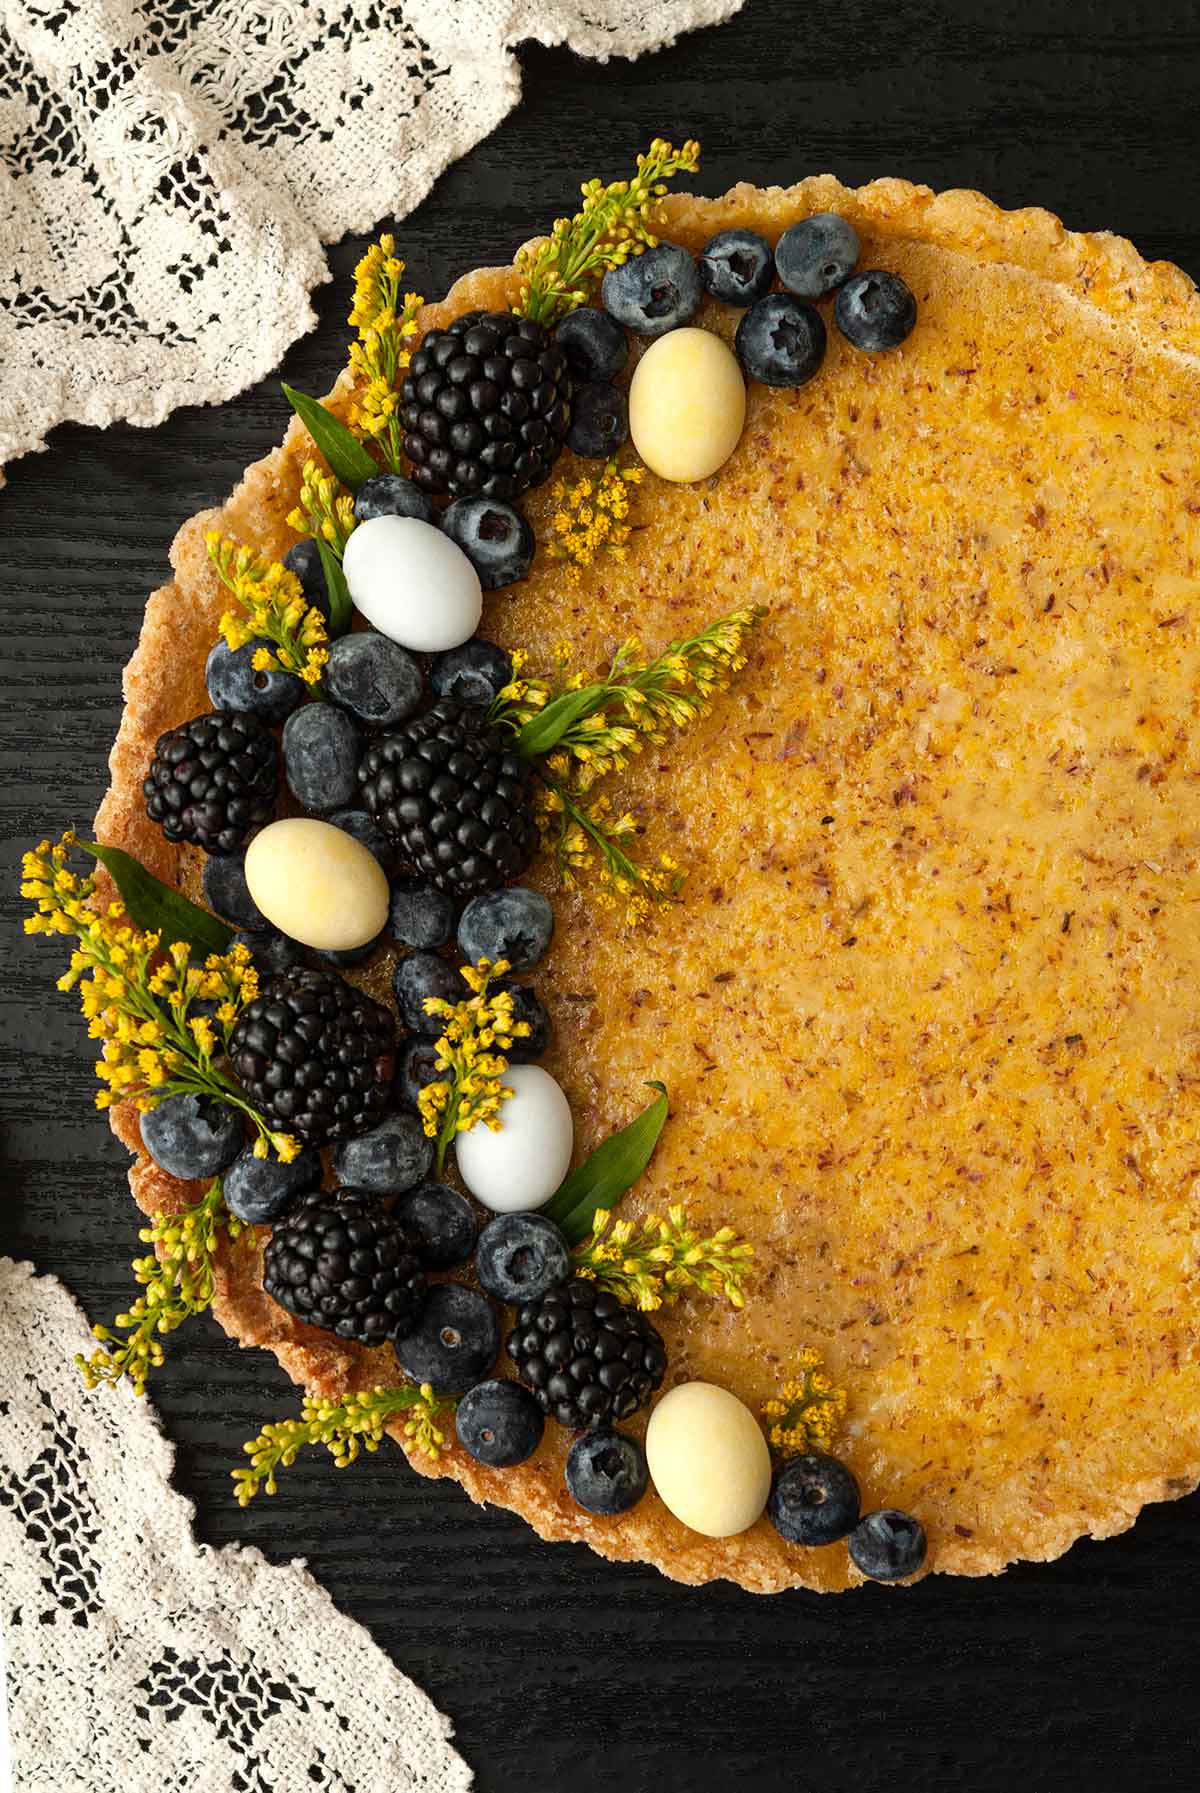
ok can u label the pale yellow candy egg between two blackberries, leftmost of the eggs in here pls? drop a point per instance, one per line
(317, 883)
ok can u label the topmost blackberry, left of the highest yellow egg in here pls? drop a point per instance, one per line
(485, 406)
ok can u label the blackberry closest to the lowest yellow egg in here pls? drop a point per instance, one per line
(587, 1358)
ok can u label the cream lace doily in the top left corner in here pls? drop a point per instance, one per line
(171, 169)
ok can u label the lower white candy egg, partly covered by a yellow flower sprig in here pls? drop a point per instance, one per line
(523, 1165)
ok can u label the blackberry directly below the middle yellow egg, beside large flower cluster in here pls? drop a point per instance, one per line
(315, 1055)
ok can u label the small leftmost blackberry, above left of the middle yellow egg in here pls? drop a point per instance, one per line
(213, 781)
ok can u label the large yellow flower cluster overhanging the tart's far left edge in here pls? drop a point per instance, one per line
(143, 998)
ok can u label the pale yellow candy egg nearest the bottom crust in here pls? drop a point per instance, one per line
(708, 1459)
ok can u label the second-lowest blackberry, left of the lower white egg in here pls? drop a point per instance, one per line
(342, 1261)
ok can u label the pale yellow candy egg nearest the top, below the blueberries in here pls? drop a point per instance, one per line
(688, 406)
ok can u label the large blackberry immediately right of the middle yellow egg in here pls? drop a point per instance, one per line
(455, 797)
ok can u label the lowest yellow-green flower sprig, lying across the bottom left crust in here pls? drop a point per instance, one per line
(345, 1428)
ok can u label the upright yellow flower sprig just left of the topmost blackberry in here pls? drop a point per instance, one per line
(387, 322)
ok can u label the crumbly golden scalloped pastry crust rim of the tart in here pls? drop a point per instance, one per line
(164, 682)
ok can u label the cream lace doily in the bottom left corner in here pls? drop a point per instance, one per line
(144, 1661)
